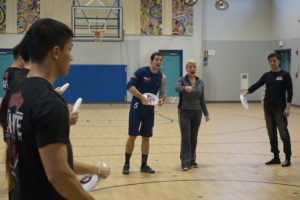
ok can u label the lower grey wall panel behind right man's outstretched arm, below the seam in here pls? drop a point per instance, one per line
(222, 74)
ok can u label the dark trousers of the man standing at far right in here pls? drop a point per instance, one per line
(276, 120)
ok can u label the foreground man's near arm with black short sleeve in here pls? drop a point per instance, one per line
(51, 126)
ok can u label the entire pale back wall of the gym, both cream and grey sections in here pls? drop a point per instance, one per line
(241, 37)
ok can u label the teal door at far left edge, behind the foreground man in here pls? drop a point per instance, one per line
(6, 59)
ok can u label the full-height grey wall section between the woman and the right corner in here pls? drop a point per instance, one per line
(241, 38)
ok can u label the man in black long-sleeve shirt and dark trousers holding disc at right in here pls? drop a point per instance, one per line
(276, 107)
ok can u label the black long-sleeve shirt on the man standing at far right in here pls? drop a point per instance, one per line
(277, 85)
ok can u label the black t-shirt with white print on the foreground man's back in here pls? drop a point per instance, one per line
(37, 116)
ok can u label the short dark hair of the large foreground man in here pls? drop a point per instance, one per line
(42, 36)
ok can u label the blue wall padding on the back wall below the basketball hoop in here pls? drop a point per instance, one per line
(95, 83)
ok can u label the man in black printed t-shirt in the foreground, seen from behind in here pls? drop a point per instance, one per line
(37, 130)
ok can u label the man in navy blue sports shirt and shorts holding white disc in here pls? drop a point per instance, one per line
(141, 115)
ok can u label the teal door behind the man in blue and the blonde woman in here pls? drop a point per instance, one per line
(172, 68)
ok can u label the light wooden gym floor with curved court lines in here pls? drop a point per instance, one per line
(232, 149)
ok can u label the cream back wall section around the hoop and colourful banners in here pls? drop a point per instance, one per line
(135, 51)
